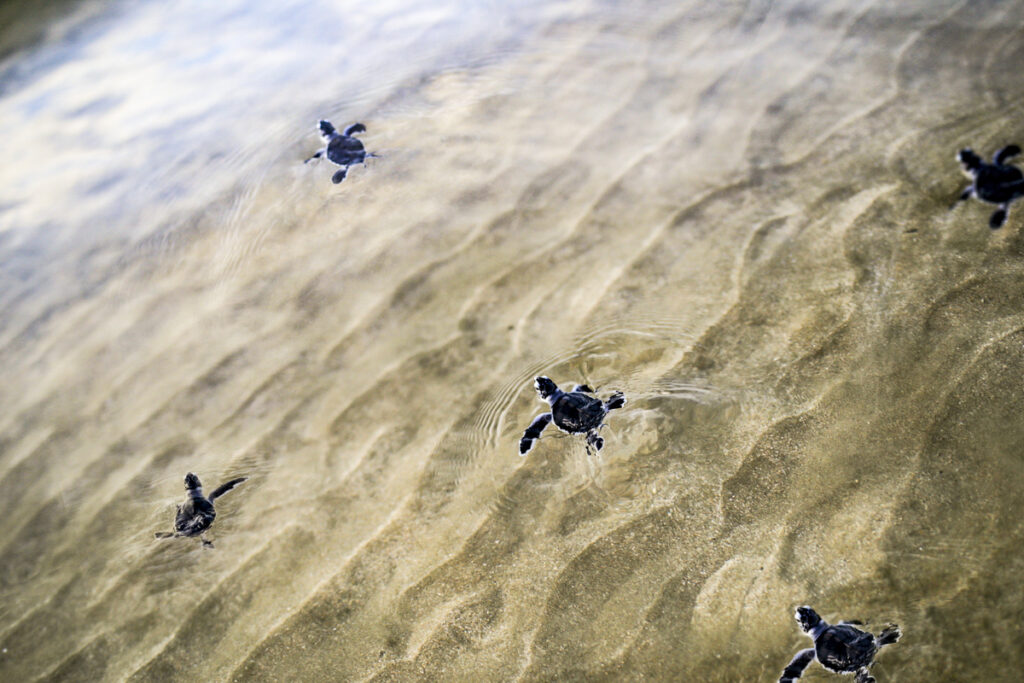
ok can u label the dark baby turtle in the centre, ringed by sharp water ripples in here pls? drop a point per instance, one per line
(574, 412)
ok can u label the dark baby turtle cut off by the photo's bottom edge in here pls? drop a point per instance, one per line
(841, 649)
